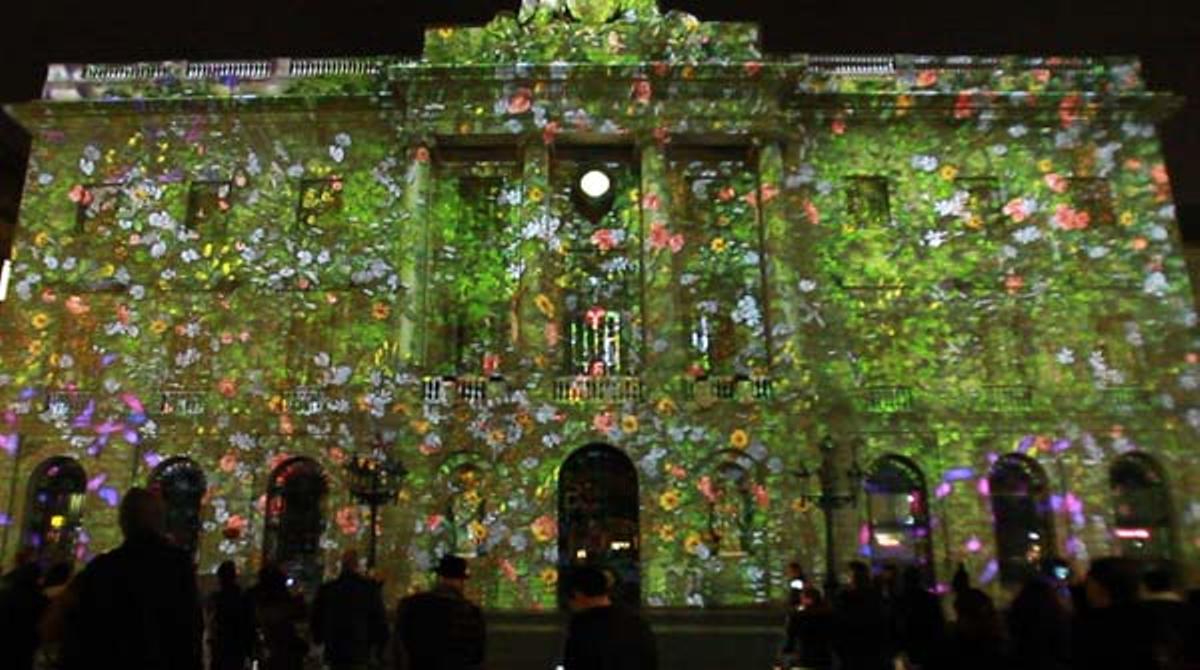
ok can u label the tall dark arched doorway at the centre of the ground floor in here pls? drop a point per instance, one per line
(598, 510)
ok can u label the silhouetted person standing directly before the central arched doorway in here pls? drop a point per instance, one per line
(602, 636)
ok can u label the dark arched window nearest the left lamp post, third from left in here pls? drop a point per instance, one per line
(296, 519)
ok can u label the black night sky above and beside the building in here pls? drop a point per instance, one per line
(1161, 32)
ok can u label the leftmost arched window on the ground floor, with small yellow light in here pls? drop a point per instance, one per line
(55, 510)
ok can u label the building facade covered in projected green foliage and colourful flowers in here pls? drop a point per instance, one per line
(607, 280)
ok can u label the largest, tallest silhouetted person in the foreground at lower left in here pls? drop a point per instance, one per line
(137, 606)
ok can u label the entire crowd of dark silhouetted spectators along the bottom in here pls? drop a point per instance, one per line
(139, 607)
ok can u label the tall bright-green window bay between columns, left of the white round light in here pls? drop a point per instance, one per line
(475, 260)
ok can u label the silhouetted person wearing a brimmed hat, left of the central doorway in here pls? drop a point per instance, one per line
(441, 630)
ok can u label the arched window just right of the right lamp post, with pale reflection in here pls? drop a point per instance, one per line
(898, 515)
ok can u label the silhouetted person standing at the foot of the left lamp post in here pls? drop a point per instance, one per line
(349, 618)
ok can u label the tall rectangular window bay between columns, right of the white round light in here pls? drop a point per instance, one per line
(719, 267)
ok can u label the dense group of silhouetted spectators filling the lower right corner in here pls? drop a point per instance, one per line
(1119, 617)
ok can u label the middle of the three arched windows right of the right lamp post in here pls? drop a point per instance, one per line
(1021, 509)
